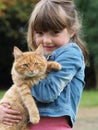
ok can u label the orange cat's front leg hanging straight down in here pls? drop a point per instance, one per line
(30, 104)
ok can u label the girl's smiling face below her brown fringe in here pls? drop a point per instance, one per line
(52, 40)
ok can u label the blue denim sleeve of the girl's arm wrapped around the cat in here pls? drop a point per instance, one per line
(50, 88)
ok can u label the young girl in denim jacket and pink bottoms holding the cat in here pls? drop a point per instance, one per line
(55, 25)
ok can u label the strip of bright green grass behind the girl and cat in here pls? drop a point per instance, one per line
(89, 98)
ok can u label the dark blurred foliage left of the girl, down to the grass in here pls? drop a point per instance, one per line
(14, 16)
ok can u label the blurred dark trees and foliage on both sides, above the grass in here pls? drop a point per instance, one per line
(14, 16)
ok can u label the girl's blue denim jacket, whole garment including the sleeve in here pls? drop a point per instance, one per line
(59, 94)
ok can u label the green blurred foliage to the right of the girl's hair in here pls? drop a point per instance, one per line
(89, 10)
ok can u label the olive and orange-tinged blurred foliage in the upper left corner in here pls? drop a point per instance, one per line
(14, 17)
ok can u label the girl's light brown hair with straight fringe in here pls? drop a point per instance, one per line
(55, 15)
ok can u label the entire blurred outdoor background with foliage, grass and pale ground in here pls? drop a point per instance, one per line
(14, 16)
